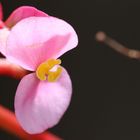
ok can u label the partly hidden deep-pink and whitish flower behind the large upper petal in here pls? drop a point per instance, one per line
(16, 16)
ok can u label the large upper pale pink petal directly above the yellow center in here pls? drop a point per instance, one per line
(36, 39)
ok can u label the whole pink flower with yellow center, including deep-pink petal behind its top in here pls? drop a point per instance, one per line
(34, 42)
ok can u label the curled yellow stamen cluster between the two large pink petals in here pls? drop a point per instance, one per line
(45, 69)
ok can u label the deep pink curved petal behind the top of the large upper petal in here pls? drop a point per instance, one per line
(21, 13)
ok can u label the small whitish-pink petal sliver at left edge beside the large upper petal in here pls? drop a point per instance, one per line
(3, 38)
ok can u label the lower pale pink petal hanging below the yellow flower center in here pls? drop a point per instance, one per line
(40, 105)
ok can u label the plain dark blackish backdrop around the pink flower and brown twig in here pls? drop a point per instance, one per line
(106, 85)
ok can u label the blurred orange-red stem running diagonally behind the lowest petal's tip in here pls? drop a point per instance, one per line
(9, 123)
